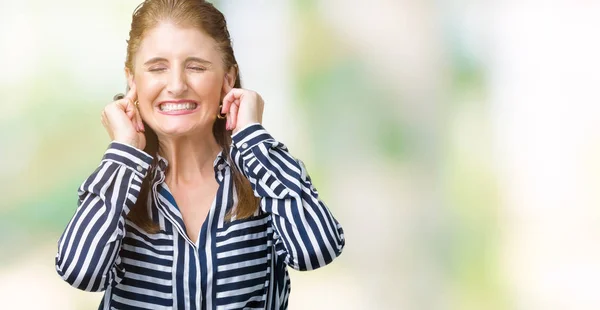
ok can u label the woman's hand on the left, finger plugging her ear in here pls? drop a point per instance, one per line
(123, 122)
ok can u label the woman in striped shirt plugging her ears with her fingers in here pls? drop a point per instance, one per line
(194, 205)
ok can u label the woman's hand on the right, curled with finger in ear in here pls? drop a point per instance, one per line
(243, 107)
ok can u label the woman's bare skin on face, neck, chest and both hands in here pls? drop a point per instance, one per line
(177, 63)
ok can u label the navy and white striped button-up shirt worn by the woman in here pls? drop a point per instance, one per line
(236, 264)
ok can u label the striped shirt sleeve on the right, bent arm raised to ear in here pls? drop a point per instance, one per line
(307, 236)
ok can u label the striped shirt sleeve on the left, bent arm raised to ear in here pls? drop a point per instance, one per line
(88, 249)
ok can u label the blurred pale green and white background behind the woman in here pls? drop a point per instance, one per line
(457, 141)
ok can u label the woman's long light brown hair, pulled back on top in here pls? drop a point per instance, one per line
(204, 16)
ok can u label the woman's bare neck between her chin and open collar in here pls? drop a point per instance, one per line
(190, 157)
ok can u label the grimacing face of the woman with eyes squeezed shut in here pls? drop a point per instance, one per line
(180, 80)
